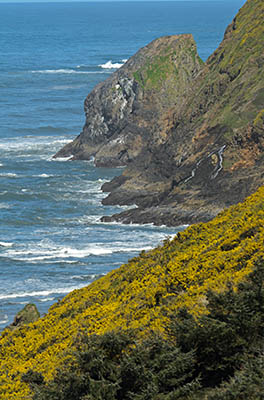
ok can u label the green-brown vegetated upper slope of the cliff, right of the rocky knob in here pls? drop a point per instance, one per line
(226, 101)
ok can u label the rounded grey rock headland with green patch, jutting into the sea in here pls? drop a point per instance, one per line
(124, 114)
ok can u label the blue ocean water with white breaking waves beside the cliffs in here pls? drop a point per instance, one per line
(51, 56)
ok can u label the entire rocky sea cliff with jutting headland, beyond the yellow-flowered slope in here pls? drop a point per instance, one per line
(191, 134)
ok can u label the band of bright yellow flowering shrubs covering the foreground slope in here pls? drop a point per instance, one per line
(142, 295)
